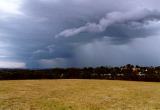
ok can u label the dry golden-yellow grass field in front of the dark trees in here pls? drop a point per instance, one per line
(79, 95)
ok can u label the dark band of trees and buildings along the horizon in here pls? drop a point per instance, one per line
(127, 72)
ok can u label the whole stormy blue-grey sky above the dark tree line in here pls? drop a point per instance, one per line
(78, 33)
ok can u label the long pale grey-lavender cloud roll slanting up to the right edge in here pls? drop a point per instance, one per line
(111, 19)
